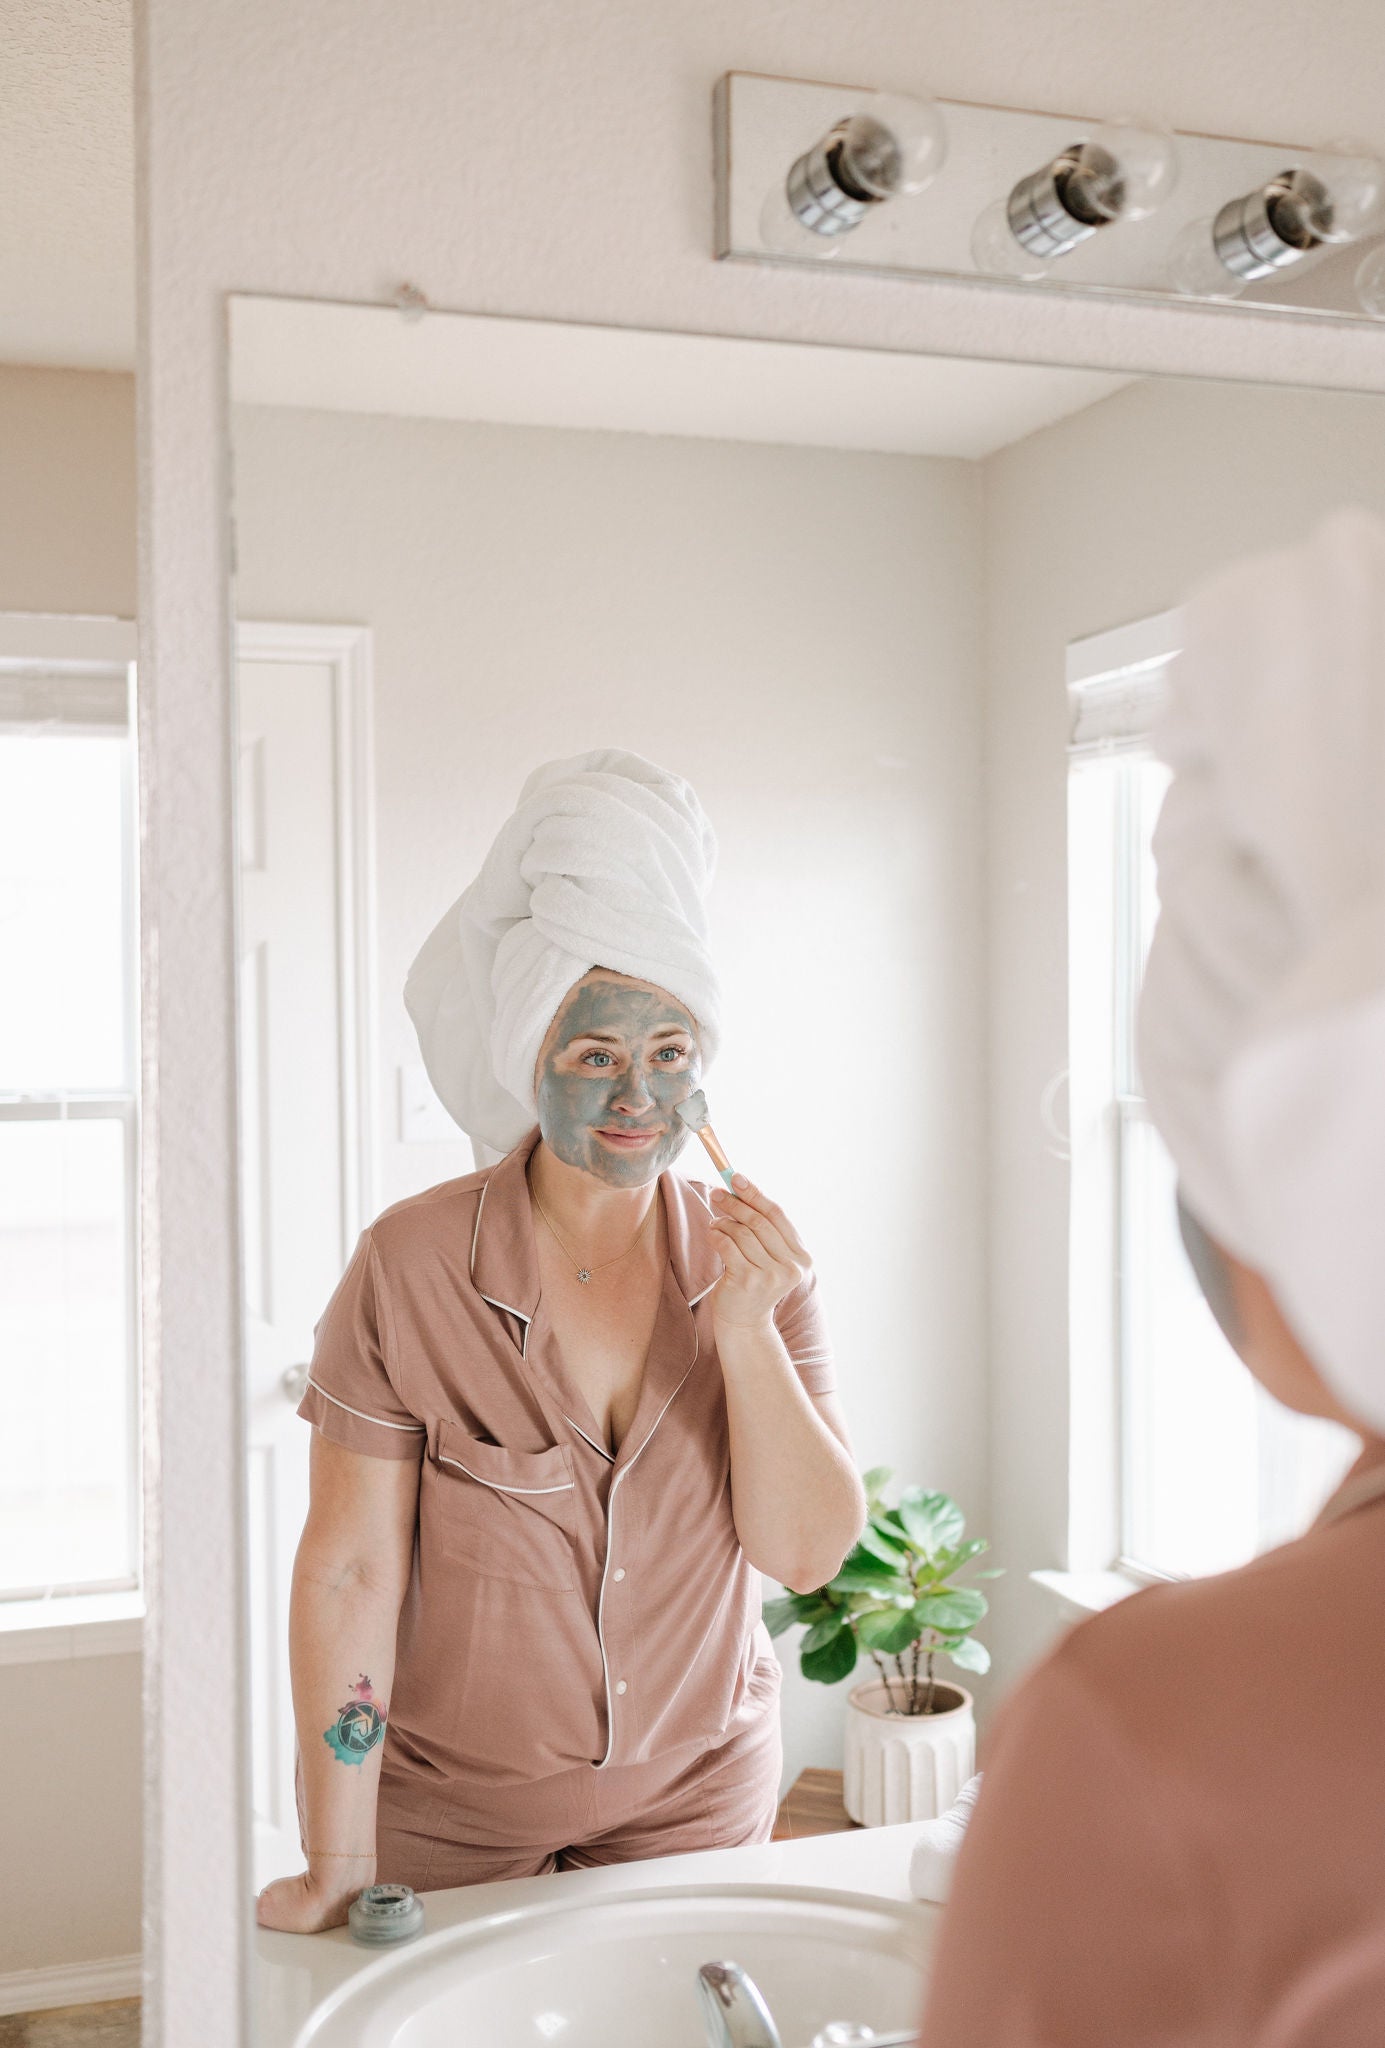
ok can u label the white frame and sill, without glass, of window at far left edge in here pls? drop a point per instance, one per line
(79, 675)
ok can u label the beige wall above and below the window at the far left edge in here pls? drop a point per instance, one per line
(71, 1760)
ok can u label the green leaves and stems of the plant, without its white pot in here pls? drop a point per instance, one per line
(896, 1601)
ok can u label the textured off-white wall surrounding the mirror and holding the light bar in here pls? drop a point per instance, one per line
(540, 159)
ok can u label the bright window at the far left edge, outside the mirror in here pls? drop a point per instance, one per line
(69, 1129)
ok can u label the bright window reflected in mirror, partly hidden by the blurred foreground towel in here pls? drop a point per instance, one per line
(1202, 1469)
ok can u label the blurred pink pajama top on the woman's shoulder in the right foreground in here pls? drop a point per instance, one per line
(1181, 1838)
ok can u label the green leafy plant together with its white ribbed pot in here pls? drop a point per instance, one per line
(911, 1736)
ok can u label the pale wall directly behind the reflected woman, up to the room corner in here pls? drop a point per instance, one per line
(796, 632)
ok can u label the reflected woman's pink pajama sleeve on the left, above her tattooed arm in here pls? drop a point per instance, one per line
(353, 1394)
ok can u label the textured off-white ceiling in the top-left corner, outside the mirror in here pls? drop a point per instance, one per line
(67, 183)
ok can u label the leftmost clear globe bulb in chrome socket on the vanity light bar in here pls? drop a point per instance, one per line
(886, 148)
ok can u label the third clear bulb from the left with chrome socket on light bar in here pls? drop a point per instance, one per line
(1325, 200)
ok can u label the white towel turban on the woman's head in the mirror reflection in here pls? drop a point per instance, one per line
(605, 863)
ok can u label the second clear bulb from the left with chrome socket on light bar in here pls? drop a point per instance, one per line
(1120, 173)
